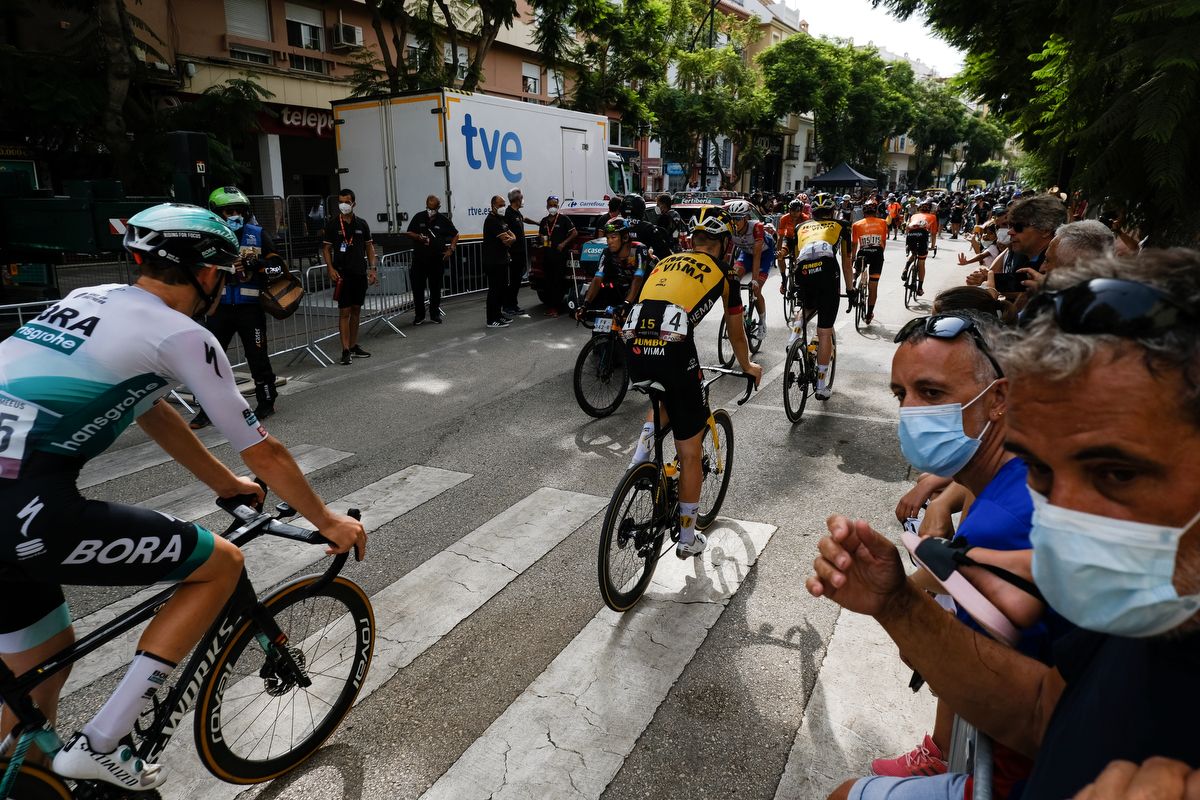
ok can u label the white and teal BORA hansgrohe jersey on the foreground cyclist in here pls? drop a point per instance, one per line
(73, 380)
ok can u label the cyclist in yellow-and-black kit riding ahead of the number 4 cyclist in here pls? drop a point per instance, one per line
(820, 242)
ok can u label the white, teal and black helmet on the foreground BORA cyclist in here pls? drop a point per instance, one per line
(188, 237)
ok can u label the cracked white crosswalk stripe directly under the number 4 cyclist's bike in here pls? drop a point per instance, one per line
(572, 730)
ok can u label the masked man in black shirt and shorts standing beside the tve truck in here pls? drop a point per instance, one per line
(351, 261)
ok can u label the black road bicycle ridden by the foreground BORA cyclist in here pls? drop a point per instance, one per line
(269, 682)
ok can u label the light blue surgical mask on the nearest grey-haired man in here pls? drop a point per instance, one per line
(1106, 575)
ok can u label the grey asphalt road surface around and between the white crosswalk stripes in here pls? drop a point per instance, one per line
(499, 407)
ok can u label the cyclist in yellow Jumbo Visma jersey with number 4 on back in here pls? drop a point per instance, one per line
(661, 334)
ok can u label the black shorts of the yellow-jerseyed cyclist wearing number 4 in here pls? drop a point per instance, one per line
(675, 365)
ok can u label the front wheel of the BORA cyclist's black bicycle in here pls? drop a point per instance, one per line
(254, 723)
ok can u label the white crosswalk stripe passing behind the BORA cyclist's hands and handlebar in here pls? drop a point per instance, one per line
(271, 561)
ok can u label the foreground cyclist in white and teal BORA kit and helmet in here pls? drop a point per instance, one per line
(70, 383)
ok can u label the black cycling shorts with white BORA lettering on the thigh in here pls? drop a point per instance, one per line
(53, 537)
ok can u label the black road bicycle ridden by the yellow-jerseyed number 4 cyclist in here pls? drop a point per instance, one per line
(645, 508)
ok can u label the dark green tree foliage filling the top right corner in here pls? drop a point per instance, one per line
(1101, 95)
